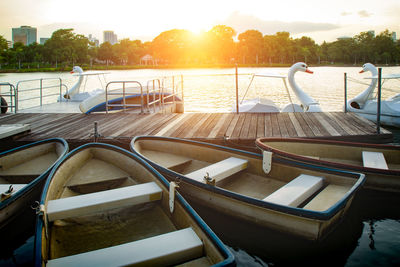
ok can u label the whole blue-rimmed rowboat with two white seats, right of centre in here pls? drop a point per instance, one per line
(291, 197)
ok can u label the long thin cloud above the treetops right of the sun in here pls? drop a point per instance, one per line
(243, 22)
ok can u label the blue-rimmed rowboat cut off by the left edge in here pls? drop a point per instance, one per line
(23, 171)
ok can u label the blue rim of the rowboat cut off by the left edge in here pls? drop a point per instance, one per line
(30, 186)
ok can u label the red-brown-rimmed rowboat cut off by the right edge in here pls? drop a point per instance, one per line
(380, 163)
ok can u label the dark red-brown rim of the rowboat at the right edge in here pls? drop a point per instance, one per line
(284, 154)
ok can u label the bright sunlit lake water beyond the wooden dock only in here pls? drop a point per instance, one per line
(214, 90)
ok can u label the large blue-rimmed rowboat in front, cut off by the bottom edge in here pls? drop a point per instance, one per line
(104, 206)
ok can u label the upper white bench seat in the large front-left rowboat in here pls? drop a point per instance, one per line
(102, 201)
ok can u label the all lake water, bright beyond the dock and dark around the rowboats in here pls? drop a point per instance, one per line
(370, 232)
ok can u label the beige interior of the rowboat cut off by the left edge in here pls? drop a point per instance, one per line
(23, 166)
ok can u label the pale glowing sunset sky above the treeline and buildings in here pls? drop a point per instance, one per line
(145, 19)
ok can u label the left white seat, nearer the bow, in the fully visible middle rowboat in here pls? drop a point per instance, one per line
(220, 170)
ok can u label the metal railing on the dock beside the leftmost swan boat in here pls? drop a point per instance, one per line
(37, 90)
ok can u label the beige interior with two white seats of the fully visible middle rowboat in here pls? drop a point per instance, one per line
(318, 191)
